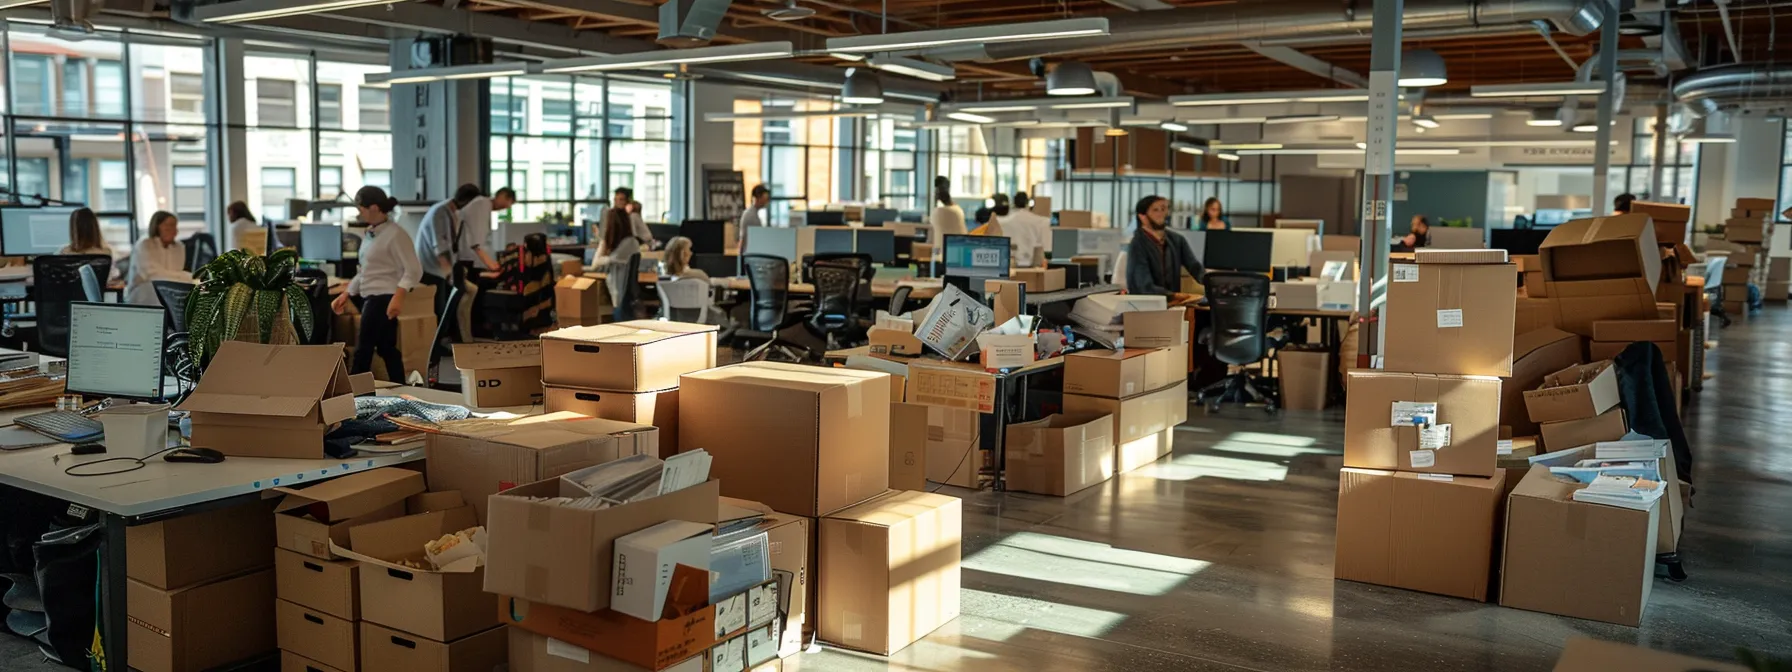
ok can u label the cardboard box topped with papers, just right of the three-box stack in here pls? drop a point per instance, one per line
(1576, 560)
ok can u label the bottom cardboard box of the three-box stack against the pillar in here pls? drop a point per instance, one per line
(1417, 531)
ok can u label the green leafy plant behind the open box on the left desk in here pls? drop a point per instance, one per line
(245, 297)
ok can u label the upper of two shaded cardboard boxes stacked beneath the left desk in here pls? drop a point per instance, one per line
(196, 549)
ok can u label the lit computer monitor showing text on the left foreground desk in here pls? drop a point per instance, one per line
(116, 350)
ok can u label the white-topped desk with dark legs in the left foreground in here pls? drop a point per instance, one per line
(166, 490)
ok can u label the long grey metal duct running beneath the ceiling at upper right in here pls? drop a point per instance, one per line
(1291, 21)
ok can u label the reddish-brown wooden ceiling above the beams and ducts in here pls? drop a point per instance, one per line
(1497, 56)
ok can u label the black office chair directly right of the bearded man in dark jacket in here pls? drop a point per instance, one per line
(1239, 336)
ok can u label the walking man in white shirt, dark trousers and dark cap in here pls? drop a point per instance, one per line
(390, 270)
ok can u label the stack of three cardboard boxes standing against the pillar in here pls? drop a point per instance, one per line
(1420, 494)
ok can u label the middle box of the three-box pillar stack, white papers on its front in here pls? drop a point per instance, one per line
(1383, 411)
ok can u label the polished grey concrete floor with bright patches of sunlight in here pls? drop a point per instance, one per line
(1219, 558)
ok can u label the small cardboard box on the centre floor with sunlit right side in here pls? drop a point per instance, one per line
(1060, 454)
